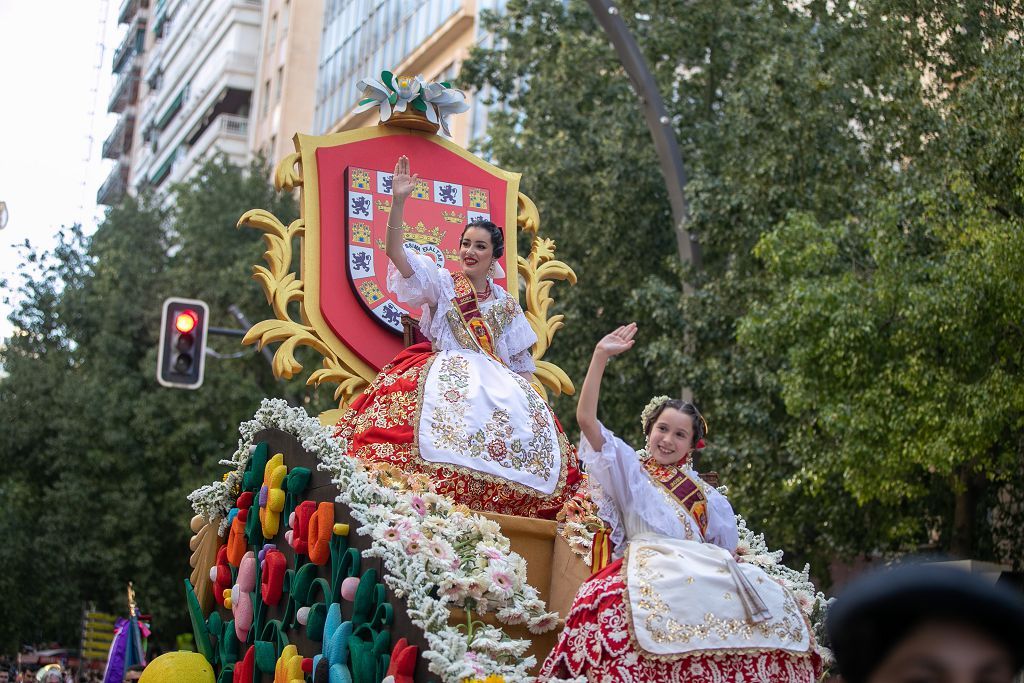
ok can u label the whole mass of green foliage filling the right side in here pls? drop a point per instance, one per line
(855, 184)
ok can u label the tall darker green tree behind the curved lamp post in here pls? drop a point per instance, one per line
(789, 115)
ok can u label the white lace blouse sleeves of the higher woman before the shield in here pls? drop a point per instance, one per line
(434, 289)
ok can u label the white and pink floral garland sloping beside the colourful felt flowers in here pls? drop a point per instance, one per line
(425, 541)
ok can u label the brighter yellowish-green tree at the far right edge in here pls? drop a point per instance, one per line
(902, 326)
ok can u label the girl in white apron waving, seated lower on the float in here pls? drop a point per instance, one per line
(678, 607)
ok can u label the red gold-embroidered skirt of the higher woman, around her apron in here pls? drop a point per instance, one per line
(380, 426)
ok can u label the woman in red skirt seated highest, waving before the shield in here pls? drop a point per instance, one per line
(461, 408)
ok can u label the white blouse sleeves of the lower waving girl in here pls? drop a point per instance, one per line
(632, 505)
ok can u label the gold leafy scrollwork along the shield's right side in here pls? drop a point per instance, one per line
(540, 271)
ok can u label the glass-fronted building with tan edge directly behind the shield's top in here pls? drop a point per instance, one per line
(362, 38)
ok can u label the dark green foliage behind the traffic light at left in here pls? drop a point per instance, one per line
(98, 457)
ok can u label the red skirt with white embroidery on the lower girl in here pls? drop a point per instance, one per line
(596, 645)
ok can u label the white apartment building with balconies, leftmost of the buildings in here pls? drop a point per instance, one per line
(190, 72)
